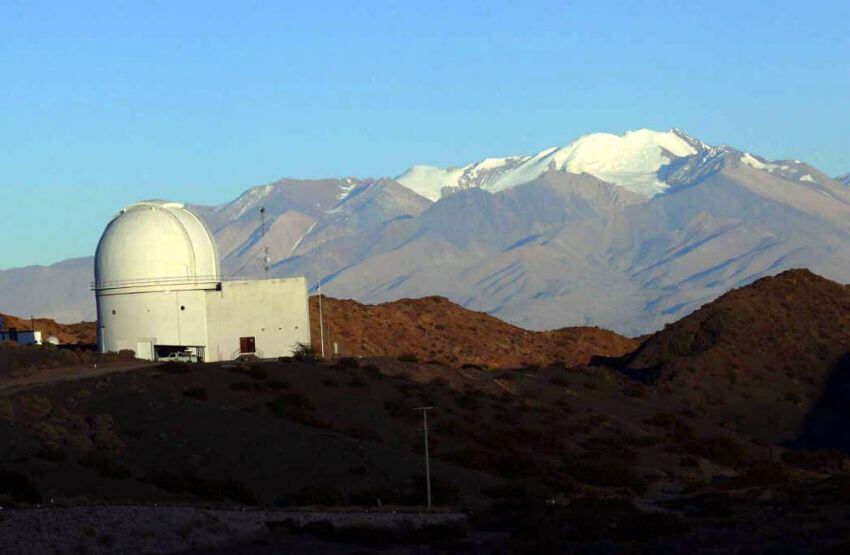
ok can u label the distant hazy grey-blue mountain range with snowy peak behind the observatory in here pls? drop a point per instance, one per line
(627, 232)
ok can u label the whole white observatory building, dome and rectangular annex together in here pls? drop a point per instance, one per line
(159, 293)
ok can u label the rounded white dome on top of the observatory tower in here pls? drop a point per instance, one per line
(155, 243)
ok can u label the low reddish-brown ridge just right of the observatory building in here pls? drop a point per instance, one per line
(434, 328)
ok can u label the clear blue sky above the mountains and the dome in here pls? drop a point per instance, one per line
(104, 103)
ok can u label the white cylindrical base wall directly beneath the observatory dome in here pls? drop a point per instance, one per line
(139, 320)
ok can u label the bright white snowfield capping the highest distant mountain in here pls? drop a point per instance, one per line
(631, 160)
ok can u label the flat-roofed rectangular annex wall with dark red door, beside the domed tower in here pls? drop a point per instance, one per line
(274, 312)
